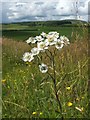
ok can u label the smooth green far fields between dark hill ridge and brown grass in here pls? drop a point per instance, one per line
(21, 32)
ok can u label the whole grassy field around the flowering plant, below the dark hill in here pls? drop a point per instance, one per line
(27, 93)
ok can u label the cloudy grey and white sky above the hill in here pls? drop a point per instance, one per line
(43, 10)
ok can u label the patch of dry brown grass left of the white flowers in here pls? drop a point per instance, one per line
(13, 48)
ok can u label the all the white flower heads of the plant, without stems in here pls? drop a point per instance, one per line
(43, 42)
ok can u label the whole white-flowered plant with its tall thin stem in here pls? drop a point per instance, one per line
(43, 42)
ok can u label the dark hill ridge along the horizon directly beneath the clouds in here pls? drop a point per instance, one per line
(69, 22)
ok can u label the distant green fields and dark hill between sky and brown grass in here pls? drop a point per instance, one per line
(21, 30)
